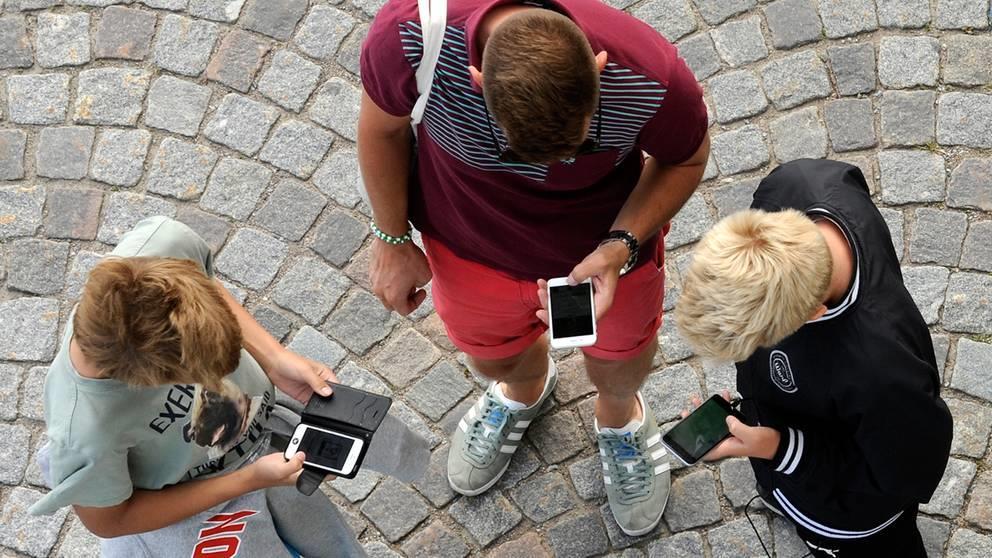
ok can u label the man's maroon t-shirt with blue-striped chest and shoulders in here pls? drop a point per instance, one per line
(531, 221)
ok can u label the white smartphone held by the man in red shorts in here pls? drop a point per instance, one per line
(571, 314)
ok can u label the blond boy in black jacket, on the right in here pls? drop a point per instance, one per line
(834, 362)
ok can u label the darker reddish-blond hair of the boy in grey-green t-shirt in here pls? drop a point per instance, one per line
(156, 321)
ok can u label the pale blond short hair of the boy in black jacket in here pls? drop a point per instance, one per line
(755, 279)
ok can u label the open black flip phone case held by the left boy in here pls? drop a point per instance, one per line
(349, 411)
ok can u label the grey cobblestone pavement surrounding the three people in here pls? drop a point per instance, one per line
(239, 118)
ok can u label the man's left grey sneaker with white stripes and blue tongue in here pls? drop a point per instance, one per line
(486, 438)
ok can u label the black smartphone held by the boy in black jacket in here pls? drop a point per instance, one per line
(701, 431)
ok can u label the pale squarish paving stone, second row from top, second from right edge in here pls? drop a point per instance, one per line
(905, 62)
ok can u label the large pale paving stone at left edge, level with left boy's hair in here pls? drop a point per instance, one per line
(28, 329)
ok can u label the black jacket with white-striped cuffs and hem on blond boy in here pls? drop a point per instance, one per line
(856, 394)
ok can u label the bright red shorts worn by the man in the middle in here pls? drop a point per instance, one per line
(491, 316)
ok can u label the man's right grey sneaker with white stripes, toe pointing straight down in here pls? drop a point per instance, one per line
(637, 474)
